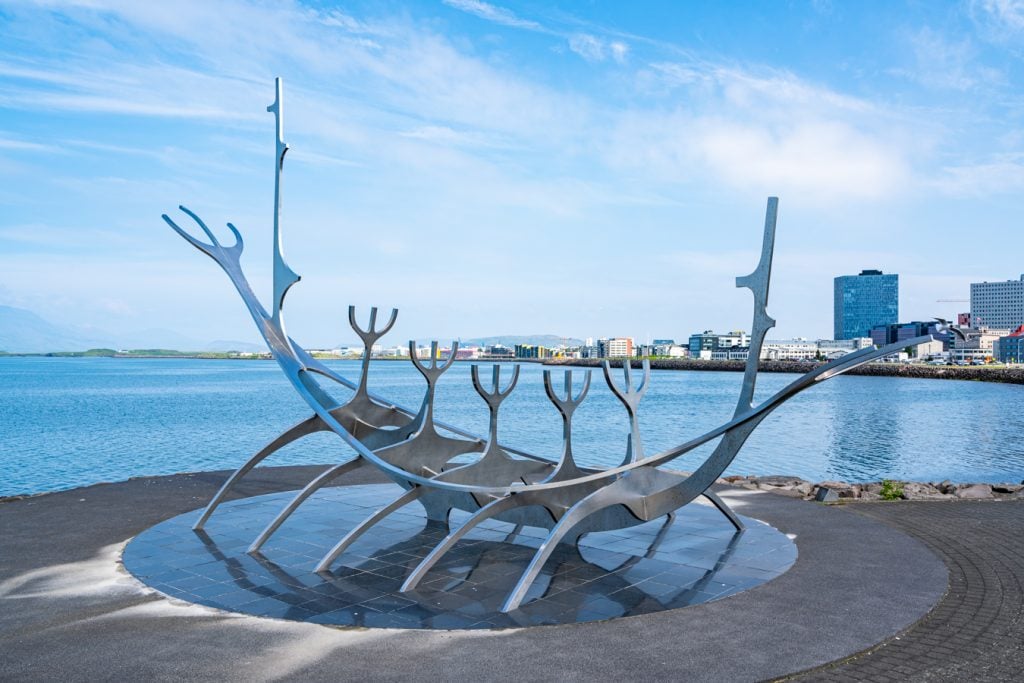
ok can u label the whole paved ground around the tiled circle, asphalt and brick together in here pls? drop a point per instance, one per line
(69, 612)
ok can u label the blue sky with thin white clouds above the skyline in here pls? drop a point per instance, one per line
(582, 169)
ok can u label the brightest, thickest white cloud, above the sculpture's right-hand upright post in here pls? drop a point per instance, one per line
(769, 133)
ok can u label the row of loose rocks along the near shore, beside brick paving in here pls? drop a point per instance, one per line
(888, 490)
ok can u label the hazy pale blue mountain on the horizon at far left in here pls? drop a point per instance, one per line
(24, 332)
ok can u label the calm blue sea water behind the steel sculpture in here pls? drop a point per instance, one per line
(69, 422)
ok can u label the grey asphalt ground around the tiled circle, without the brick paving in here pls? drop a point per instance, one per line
(84, 628)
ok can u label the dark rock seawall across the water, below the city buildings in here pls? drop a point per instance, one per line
(975, 374)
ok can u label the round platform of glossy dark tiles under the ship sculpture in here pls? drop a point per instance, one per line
(664, 565)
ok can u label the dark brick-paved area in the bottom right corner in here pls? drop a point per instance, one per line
(976, 633)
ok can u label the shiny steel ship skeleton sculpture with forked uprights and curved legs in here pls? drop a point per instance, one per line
(504, 484)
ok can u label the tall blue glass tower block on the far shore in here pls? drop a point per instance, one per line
(864, 302)
